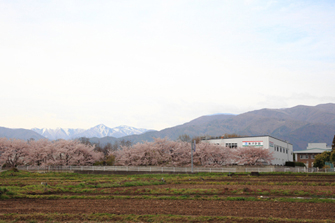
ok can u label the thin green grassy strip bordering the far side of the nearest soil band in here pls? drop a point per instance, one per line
(184, 197)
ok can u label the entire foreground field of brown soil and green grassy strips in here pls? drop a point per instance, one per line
(166, 198)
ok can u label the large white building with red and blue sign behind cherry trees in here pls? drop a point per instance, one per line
(282, 150)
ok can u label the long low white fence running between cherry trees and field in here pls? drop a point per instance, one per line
(156, 169)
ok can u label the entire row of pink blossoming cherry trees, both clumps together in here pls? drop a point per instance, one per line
(161, 152)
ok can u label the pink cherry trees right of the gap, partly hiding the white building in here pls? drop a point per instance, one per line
(163, 152)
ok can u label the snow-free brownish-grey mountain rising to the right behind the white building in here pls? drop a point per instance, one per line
(299, 125)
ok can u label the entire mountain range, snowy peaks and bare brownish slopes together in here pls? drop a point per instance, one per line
(298, 125)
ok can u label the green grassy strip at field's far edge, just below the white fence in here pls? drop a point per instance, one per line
(91, 178)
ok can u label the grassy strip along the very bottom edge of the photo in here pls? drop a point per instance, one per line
(99, 217)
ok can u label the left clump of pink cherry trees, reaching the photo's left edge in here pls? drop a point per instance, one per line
(14, 152)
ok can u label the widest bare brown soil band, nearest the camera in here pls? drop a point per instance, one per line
(186, 207)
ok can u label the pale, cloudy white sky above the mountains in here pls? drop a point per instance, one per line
(157, 64)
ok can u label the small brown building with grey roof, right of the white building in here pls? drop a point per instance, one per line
(307, 156)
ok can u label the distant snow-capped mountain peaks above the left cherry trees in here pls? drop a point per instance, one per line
(98, 131)
